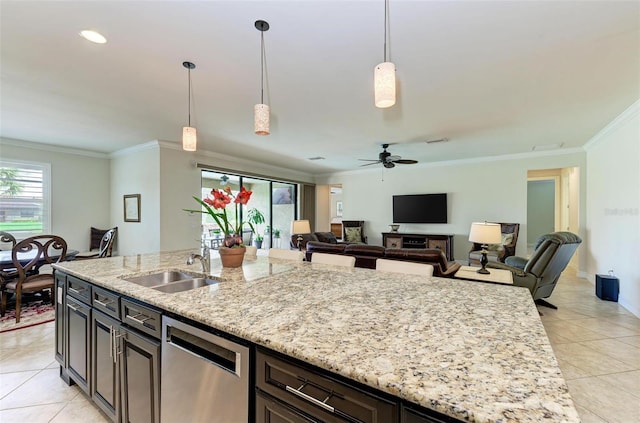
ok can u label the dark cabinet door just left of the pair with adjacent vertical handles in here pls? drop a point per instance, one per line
(78, 321)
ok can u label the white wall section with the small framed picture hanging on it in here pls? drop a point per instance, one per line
(137, 171)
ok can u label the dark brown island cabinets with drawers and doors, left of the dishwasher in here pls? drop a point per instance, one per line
(110, 347)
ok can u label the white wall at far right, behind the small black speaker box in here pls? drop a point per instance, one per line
(613, 190)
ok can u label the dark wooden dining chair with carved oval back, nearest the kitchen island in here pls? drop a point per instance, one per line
(28, 256)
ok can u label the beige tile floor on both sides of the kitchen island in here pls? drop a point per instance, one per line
(597, 344)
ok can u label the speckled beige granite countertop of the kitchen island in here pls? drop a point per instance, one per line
(474, 351)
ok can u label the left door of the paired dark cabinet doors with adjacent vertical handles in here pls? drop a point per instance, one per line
(104, 389)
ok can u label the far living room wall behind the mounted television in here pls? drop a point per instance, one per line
(488, 189)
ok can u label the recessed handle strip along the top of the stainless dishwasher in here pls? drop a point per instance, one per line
(209, 350)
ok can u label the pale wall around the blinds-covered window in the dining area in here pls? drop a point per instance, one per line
(79, 188)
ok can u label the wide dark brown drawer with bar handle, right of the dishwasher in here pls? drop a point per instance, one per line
(318, 395)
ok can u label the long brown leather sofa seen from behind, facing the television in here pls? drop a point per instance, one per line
(366, 255)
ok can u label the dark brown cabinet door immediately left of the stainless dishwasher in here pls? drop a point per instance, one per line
(140, 375)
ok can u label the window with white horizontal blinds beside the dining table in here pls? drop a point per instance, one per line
(24, 198)
